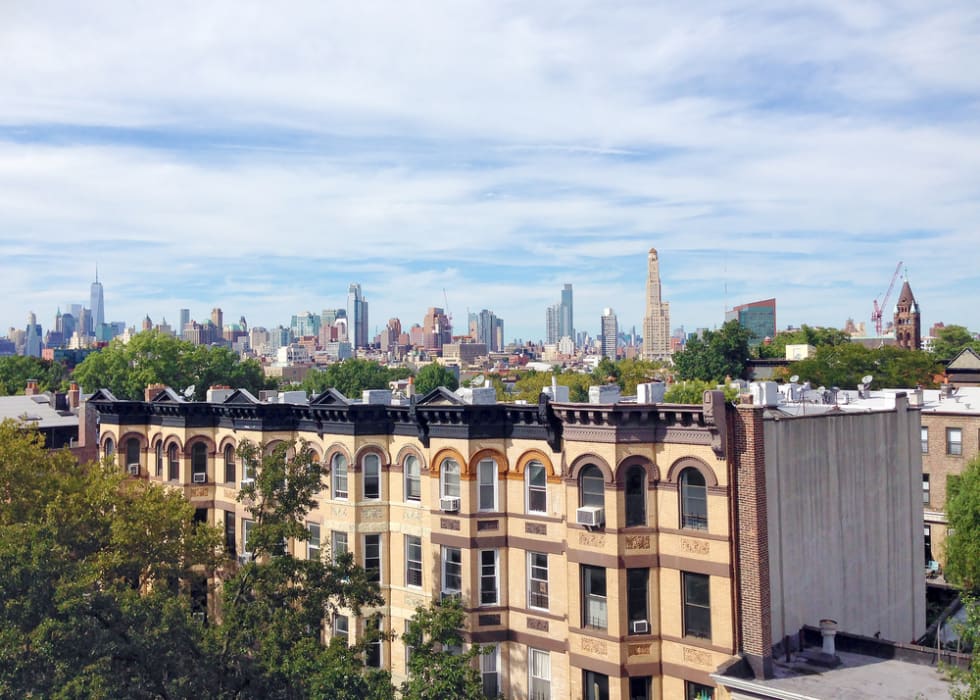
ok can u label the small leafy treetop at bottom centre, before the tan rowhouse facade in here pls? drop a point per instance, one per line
(438, 667)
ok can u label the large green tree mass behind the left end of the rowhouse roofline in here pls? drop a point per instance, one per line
(151, 357)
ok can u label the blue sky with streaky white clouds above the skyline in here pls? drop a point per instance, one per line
(260, 157)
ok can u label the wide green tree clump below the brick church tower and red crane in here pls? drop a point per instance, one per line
(844, 366)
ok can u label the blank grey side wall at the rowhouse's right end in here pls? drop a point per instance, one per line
(845, 532)
